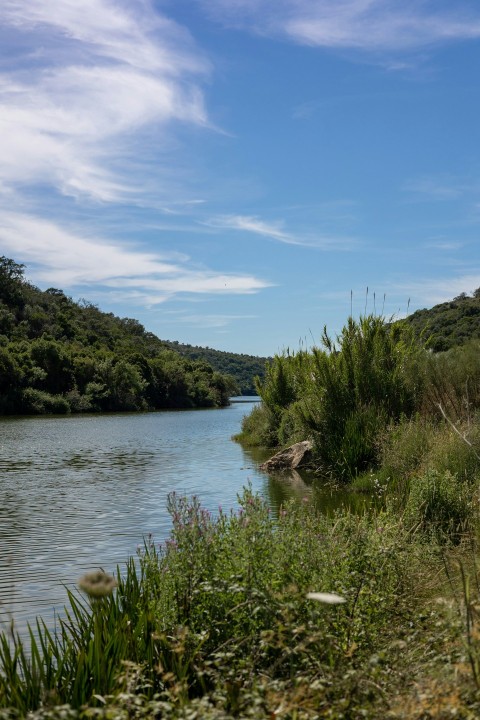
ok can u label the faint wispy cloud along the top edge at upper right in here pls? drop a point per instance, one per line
(367, 25)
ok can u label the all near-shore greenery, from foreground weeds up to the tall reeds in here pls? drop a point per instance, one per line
(304, 615)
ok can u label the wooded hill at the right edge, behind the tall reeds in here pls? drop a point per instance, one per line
(449, 324)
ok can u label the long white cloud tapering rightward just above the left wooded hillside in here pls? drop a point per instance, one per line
(64, 258)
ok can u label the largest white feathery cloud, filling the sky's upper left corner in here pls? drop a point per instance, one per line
(100, 71)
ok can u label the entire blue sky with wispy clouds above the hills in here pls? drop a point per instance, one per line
(239, 173)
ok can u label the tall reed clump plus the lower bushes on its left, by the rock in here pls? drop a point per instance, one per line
(339, 396)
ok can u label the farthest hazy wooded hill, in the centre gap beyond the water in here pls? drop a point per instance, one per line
(244, 368)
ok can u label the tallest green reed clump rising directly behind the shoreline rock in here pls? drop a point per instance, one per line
(357, 386)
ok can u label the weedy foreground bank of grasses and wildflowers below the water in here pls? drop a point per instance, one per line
(246, 615)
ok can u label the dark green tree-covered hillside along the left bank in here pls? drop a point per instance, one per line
(60, 356)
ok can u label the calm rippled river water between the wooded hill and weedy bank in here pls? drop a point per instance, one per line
(81, 492)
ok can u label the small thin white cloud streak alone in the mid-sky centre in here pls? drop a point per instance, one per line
(274, 230)
